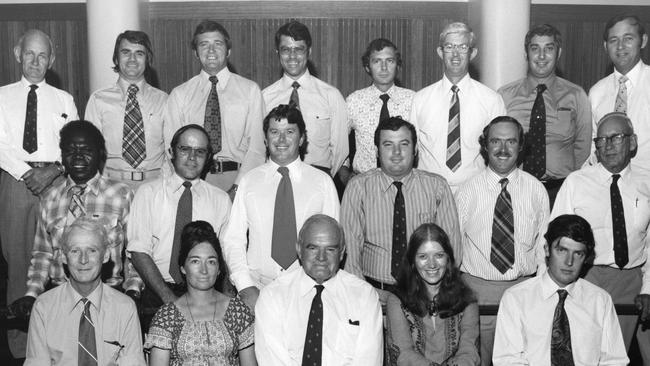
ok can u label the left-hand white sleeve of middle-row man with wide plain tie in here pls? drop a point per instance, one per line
(234, 241)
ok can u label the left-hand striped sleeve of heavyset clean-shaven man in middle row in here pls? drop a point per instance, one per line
(352, 220)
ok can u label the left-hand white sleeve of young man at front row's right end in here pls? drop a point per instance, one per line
(509, 347)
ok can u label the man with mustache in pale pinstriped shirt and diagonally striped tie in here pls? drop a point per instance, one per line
(503, 215)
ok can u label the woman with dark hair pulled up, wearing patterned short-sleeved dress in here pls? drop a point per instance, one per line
(203, 326)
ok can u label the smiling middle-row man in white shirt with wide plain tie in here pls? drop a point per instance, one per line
(258, 243)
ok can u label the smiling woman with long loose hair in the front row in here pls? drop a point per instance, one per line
(433, 320)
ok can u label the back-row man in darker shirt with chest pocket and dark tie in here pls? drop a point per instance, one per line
(554, 112)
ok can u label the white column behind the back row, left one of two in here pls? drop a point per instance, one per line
(106, 19)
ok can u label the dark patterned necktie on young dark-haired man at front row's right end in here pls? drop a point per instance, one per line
(561, 335)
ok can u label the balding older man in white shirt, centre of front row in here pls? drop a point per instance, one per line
(317, 314)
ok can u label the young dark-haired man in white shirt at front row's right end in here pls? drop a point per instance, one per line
(558, 318)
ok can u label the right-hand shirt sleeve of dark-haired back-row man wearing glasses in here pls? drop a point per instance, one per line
(339, 131)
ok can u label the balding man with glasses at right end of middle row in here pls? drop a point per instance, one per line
(615, 198)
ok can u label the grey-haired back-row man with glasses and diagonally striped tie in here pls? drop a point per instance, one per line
(450, 114)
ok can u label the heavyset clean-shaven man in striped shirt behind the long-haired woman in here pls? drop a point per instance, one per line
(369, 210)
